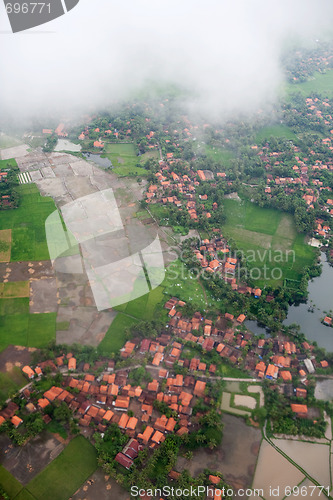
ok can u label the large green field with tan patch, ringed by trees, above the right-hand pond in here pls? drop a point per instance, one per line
(269, 240)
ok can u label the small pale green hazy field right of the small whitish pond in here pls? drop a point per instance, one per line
(124, 160)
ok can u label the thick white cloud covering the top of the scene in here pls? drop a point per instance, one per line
(226, 53)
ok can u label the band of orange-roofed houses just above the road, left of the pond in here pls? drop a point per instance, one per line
(286, 360)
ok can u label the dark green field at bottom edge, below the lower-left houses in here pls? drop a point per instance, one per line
(66, 473)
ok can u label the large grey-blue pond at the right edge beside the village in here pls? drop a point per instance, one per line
(320, 299)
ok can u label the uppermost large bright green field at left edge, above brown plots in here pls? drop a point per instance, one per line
(28, 224)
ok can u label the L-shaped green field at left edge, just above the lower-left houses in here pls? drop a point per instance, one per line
(18, 327)
